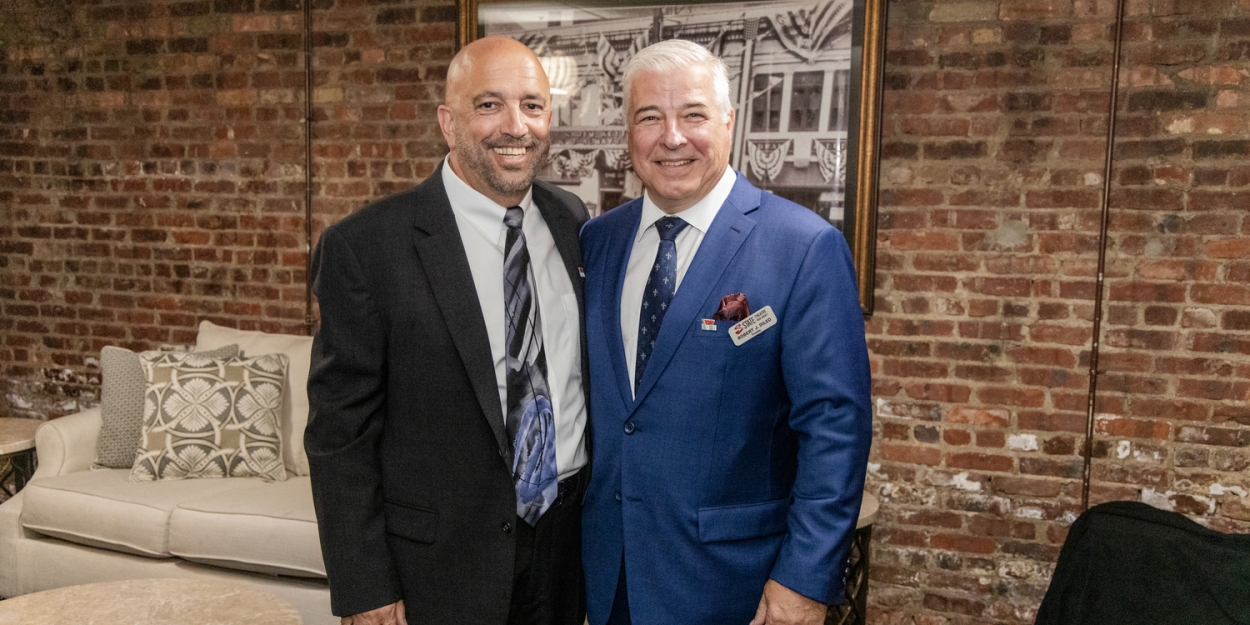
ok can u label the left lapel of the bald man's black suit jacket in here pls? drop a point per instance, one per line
(447, 269)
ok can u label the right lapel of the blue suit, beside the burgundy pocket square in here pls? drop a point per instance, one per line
(718, 249)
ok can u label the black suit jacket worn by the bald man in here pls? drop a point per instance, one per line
(406, 439)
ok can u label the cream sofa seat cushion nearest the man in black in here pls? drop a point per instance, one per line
(266, 527)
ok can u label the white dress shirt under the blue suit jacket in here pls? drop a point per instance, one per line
(647, 243)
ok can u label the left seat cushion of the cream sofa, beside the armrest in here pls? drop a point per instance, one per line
(106, 509)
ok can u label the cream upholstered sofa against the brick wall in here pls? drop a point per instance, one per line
(77, 526)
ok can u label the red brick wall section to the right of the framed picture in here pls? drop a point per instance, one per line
(988, 251)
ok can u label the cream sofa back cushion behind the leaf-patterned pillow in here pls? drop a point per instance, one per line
(296, 402)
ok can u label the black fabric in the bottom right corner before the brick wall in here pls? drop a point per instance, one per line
(1127, 563)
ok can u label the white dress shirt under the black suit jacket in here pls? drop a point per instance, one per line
(484, 236)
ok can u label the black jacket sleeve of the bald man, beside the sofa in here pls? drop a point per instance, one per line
(348, 409)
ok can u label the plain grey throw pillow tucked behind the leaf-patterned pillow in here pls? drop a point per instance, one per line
(122, 404)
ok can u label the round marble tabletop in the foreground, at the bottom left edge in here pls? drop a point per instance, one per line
(159, 602)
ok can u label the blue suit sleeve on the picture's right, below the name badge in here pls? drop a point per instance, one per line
(826, 367)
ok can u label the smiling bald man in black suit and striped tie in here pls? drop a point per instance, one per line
(447, 437)
